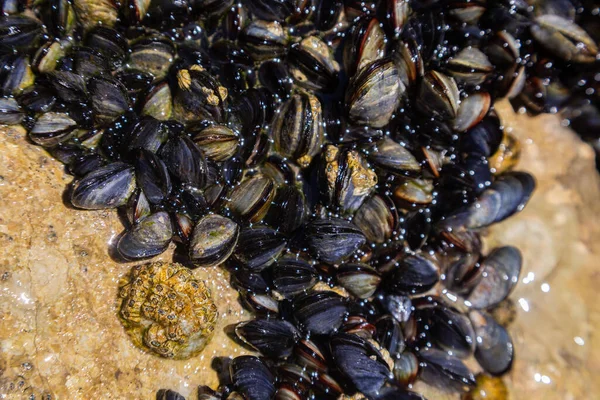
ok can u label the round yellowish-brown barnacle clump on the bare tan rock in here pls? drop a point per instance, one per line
(166, 311)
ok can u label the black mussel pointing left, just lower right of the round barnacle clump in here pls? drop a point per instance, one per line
(273, 338)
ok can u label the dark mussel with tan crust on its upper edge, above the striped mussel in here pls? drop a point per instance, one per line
(312, 65)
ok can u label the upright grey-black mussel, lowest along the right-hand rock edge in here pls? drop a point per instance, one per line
(495, 350)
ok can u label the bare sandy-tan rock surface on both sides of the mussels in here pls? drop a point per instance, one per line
(60, 335)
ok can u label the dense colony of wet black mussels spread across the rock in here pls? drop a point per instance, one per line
(340, 158)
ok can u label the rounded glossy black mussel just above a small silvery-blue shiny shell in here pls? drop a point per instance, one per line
(414, 274)
